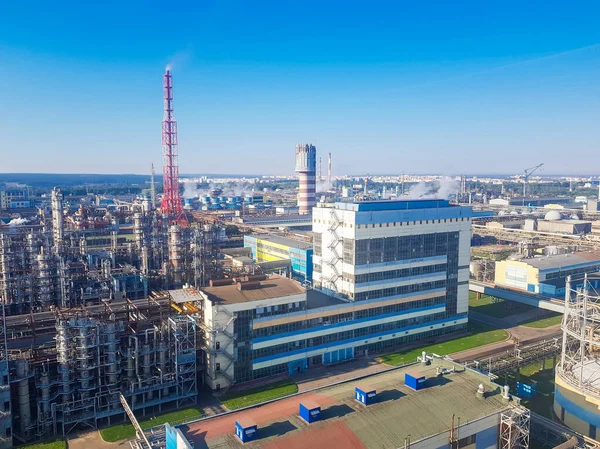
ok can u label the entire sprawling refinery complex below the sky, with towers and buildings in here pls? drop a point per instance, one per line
(123, 306)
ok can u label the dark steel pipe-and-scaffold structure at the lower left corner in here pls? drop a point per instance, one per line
(75, 379)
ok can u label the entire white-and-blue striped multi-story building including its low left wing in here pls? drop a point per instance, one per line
(388, 273)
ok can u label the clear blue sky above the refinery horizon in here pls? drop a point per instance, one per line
(387, 87)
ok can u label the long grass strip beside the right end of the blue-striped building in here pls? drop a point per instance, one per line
(479, 335)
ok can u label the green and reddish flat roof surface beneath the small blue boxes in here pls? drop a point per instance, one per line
(345, 423)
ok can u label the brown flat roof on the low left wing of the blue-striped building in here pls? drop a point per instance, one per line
(273, 287)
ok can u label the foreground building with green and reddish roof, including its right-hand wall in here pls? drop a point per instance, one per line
(454, 409)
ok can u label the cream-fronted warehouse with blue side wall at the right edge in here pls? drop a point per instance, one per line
(546, 275)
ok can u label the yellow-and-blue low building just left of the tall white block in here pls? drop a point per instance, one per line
(270, 248)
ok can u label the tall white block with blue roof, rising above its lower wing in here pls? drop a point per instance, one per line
(386, 249)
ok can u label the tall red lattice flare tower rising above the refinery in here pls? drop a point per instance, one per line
(171, 202)
